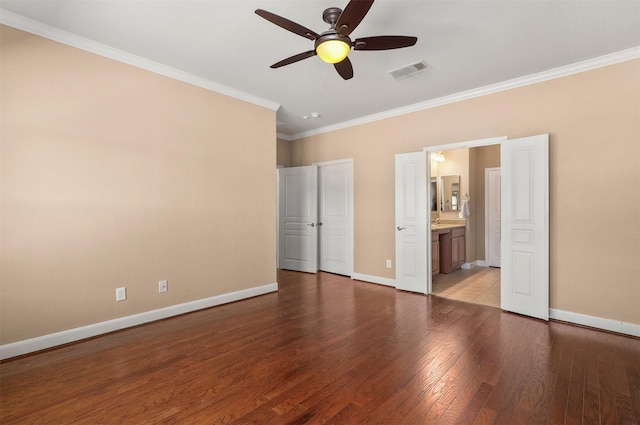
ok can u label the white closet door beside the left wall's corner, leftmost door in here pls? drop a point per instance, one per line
(298, 210)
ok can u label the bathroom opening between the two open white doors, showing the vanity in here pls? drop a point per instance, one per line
(464, 209)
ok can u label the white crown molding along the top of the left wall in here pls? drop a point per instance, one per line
(35, 27)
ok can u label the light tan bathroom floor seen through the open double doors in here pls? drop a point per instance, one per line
(479, 285)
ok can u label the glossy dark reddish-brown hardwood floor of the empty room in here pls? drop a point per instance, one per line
(326, 349)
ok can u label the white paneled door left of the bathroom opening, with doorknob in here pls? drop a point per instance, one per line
(411, 222)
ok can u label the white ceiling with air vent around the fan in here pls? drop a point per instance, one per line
(468, 44)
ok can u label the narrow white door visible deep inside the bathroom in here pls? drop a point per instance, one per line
(492, 216)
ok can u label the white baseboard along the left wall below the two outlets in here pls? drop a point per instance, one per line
(64, 337)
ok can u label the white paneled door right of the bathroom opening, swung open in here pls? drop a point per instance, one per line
(524, 276)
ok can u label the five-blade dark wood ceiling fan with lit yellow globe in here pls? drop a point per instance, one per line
(333, 46)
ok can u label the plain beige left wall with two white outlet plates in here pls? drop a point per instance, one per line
(114, 176)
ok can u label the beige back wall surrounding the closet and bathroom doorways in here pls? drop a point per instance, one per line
(593, 119)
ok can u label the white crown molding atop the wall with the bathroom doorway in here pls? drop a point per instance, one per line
(563, 71)
